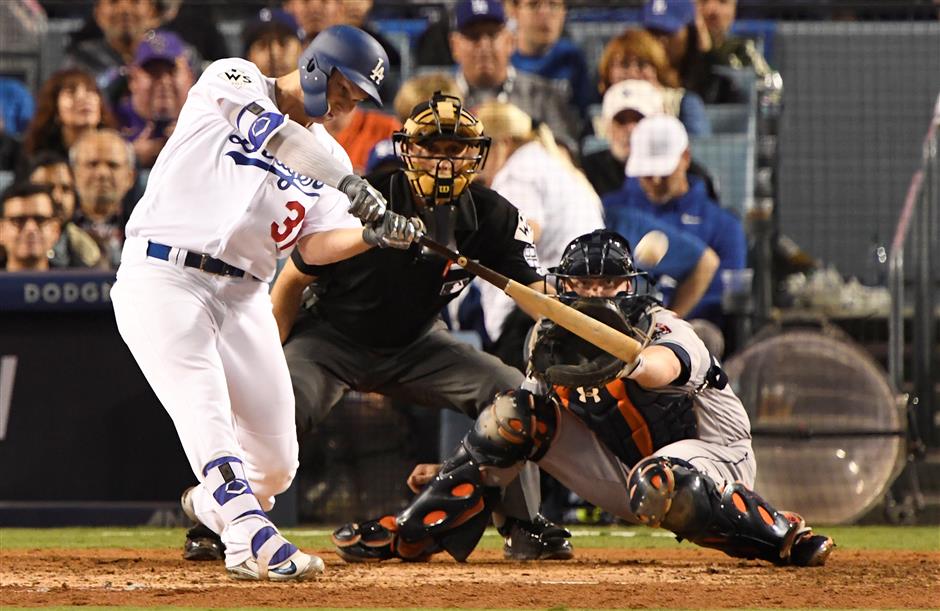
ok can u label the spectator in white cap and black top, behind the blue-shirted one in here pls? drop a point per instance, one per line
(625, 104)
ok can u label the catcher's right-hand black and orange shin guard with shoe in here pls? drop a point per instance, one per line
(671, 493)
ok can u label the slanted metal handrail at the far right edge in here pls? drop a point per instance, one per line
(915, 265)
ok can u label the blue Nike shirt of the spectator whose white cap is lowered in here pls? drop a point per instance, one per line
(697, 214)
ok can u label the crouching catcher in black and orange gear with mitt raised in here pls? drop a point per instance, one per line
(662, 441)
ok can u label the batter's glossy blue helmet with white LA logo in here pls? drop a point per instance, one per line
(357, 55)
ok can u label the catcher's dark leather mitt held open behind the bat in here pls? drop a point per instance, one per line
(564, 359)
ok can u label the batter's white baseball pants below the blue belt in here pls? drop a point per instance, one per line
(209, 347)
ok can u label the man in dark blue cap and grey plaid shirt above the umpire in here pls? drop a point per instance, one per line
(482, 45)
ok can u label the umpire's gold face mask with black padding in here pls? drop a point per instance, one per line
(437, 177)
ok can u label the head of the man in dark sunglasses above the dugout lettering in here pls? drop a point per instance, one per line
(29, 227)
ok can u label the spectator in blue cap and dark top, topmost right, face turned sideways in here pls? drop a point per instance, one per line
(685, 37)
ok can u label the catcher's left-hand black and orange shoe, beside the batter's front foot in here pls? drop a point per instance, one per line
(376, 540)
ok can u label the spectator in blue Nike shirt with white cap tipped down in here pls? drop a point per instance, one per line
(659, 183)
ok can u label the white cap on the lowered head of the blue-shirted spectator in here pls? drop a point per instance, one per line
(656, 146)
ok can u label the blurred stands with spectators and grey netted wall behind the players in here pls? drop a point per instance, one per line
(771, 141)
